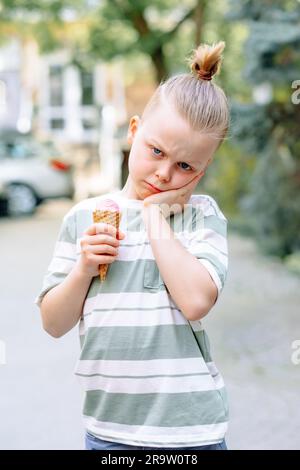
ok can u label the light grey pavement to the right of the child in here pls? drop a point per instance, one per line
(251, 329)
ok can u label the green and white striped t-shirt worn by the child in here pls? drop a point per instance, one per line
(147, 372)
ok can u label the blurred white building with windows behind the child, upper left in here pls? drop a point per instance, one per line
(72, 106)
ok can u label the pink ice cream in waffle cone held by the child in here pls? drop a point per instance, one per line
(107, 211)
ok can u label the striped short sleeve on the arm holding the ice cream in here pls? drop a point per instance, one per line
(63, 259)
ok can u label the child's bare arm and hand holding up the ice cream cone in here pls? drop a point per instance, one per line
(62, 306)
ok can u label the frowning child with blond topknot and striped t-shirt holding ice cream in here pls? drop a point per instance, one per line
(145, 363)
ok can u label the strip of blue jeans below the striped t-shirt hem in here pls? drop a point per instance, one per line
(94, 443)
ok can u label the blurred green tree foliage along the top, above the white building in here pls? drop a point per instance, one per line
(109, 28)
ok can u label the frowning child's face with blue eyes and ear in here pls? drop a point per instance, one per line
(165, 152)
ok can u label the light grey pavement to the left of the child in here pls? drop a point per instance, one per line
(40, 404)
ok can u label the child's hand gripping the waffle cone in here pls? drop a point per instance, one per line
(99, 245)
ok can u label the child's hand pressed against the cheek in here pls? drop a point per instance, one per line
(173, 201)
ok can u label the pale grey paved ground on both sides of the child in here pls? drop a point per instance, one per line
(251, 330)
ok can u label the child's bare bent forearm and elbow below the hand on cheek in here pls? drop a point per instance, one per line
(188, 282)
